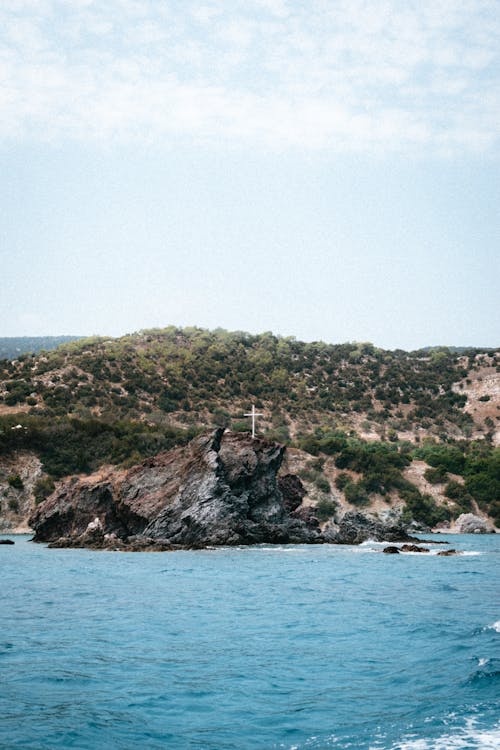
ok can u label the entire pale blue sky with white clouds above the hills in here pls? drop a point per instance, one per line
(327, 169)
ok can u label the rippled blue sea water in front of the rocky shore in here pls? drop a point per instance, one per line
(293, 648)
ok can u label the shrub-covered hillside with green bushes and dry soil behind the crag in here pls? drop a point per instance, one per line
(96, 401)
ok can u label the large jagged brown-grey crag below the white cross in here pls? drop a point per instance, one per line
(221, 489)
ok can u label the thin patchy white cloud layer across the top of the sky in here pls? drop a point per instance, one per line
(342, 76)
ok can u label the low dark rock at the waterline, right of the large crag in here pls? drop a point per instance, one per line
(354, 528)
